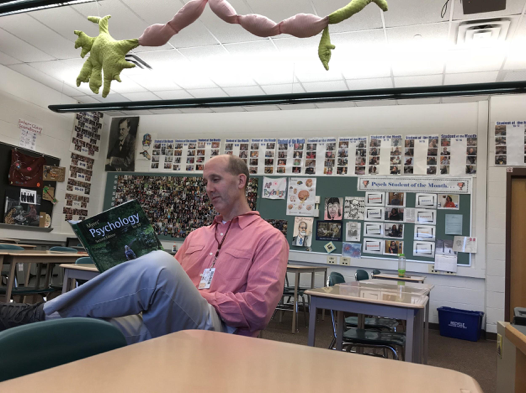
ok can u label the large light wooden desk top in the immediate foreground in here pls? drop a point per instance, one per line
(202, 361)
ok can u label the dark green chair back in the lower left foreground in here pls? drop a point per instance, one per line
(38, 346)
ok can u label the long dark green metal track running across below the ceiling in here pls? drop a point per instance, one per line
(404, 93)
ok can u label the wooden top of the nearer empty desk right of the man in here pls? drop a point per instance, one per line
(354, 292)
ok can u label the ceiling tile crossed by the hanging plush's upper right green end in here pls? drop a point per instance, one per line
(368, 18)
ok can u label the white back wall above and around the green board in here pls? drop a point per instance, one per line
(467, 289)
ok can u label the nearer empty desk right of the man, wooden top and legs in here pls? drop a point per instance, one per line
(370, 300)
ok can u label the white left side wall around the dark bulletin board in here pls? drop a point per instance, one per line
(23, 98)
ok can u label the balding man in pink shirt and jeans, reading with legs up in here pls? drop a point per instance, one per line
(227, 277)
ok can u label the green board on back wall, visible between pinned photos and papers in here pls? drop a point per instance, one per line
(332, 187)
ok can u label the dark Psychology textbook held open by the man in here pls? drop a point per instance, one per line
(117, 235)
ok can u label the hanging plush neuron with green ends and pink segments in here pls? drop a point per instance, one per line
(107, 54)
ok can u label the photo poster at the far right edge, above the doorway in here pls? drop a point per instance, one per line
(510, 143)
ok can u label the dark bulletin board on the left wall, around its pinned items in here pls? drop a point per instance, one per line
(5, 164)
